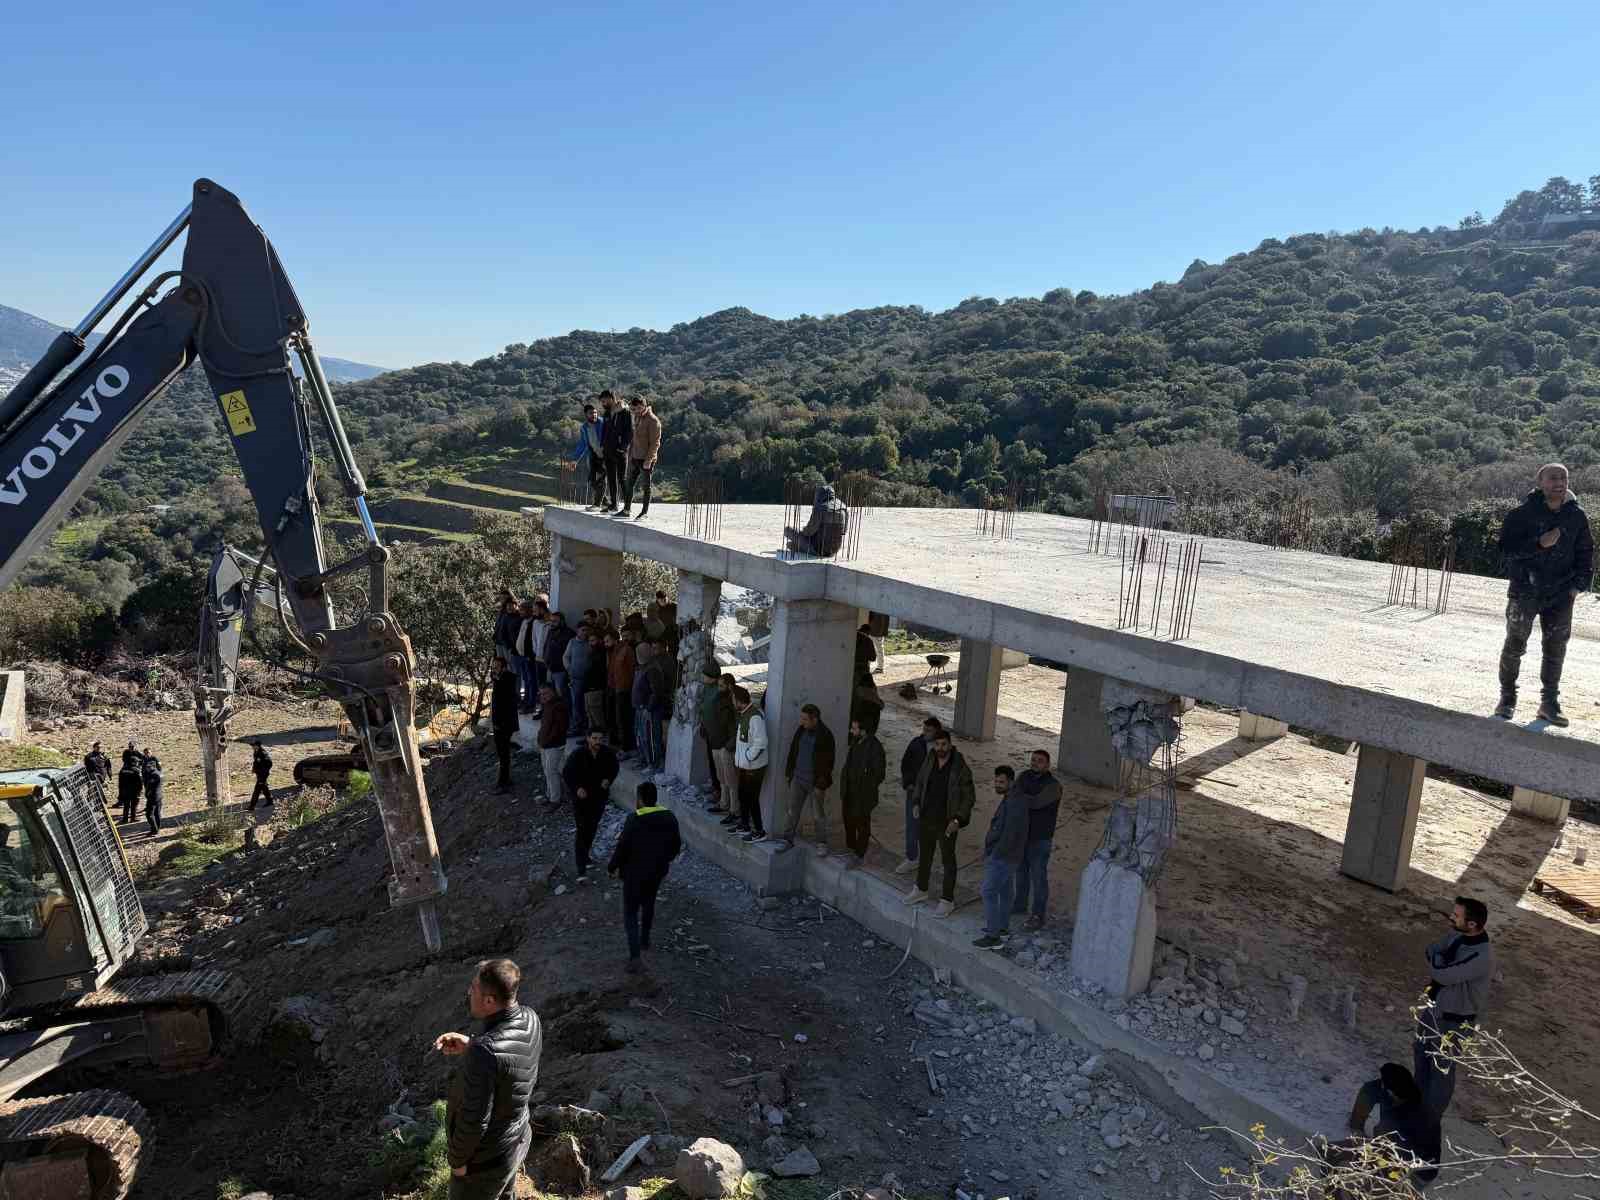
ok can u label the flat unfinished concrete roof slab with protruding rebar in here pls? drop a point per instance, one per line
(1302, 638)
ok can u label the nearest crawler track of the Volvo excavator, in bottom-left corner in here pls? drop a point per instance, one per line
(84, 1146)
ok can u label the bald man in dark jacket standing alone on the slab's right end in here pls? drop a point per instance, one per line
(1550, 559)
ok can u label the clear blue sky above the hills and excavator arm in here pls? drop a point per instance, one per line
(444, 180)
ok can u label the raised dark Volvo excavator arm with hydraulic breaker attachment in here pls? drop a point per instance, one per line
(233, 310)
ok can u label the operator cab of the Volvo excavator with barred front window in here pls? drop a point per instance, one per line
(70, 914)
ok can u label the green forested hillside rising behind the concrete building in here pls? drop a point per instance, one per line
(1356, 378)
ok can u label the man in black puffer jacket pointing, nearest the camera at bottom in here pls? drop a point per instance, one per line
(487, 1111)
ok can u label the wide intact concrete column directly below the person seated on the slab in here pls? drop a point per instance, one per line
(812, 662)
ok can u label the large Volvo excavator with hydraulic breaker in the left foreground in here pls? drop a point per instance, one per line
(70, 914)
